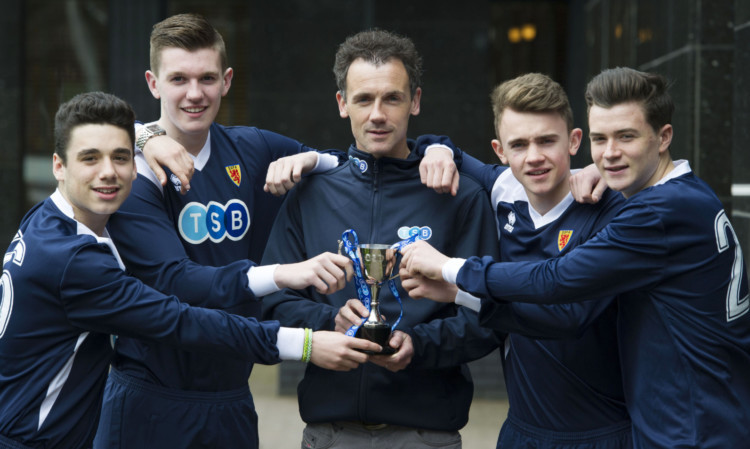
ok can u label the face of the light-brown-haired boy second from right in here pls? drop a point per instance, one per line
(537, 146)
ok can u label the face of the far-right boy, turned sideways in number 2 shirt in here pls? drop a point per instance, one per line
(625, 148)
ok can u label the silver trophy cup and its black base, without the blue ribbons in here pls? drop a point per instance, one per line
(380, 262)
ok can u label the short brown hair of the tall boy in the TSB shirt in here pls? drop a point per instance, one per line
(186, 31)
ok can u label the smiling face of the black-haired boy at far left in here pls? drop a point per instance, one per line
(98, 174)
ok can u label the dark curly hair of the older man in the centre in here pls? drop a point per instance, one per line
(378, 47)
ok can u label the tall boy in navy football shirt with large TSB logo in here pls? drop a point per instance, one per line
(201, 247)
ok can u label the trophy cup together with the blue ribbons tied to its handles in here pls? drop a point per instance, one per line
(379, 264)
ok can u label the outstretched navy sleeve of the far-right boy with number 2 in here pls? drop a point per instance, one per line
(633, 245)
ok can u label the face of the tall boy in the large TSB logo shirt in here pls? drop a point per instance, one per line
(190, 85)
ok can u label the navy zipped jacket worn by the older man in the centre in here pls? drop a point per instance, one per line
(381, 199)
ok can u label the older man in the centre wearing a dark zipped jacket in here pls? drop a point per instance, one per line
(420, 396)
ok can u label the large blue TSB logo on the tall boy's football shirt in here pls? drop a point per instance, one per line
(215, 221)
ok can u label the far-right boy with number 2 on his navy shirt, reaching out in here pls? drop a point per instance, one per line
(672, 257)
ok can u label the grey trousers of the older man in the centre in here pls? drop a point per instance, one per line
(351, 435)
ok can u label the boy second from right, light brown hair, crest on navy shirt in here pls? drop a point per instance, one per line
(560, 362)
